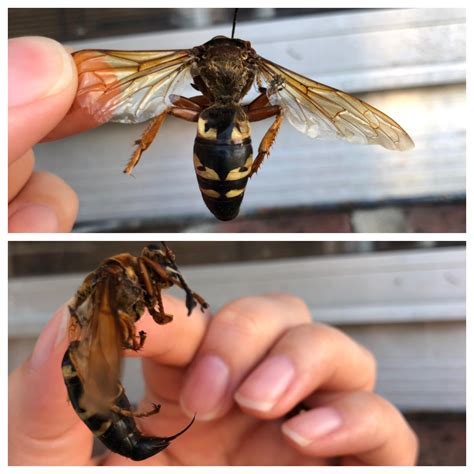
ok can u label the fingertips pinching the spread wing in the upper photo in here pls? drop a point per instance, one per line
(42, 83)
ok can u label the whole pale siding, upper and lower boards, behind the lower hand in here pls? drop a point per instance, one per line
(407, 307)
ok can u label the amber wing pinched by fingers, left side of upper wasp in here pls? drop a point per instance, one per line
(129, 86)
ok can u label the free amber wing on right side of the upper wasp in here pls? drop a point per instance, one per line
(321, 111)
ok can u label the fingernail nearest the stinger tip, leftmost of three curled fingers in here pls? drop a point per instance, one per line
(204, 389)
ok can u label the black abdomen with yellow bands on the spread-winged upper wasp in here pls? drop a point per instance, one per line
(223, 159)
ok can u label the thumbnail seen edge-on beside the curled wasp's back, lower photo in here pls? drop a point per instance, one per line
(51, 336)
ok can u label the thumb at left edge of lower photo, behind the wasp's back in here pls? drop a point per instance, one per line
(43, 427)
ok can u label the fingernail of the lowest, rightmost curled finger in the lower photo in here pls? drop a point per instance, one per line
(308, 427)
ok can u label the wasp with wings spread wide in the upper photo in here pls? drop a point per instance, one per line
(137, 86)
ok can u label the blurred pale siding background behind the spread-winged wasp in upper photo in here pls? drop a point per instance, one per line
(410, 63)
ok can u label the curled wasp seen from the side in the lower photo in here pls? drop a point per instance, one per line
(103, 314)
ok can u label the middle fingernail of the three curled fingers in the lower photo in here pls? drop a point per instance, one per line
(266, 384)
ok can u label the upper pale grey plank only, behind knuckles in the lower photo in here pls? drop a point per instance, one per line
(381, 288)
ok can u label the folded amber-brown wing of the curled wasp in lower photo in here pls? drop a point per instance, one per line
(100, 350)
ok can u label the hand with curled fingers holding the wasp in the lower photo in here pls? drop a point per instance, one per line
(242, 372)
